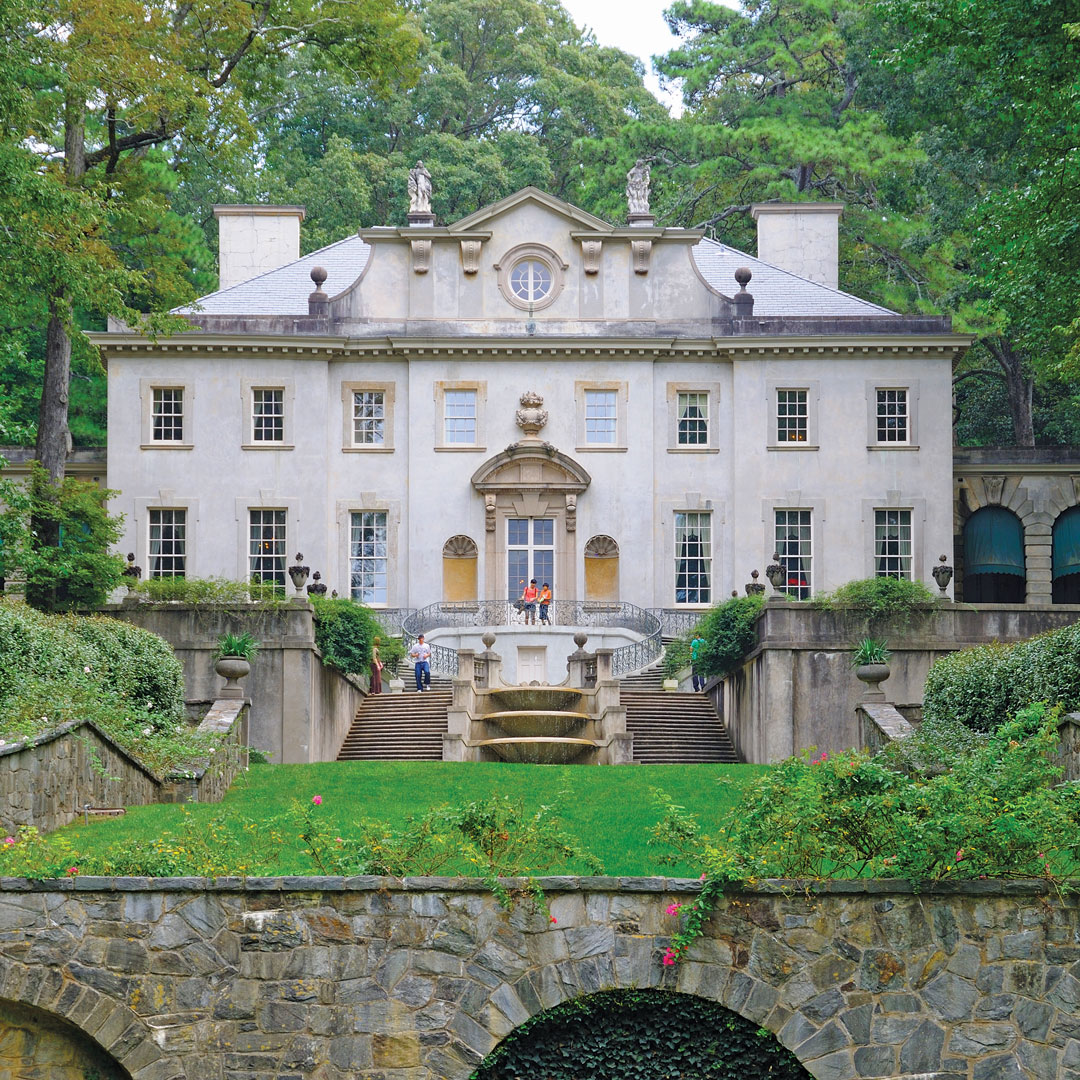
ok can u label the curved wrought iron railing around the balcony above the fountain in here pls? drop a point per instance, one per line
(586, 614)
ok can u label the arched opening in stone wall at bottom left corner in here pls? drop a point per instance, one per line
(39, 1044)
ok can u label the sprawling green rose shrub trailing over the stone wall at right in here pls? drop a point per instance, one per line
(994, 812)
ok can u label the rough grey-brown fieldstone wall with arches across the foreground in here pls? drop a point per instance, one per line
(333, 979)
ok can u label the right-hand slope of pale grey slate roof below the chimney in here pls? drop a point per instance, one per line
(777, 292)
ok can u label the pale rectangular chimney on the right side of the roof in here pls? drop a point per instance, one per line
(802, 238)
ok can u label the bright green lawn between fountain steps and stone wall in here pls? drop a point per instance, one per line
(610, 811)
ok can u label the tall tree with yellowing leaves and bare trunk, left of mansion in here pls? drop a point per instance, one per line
(113, 82)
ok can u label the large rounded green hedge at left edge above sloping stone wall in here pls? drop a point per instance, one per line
(127, 663)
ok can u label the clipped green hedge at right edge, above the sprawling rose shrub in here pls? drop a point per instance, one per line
(985, 686)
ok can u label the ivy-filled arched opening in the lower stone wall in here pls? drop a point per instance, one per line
(640, 1035)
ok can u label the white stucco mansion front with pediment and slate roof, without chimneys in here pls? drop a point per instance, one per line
(639, 330)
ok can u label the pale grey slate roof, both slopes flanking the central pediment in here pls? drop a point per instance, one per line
(285, 291)
